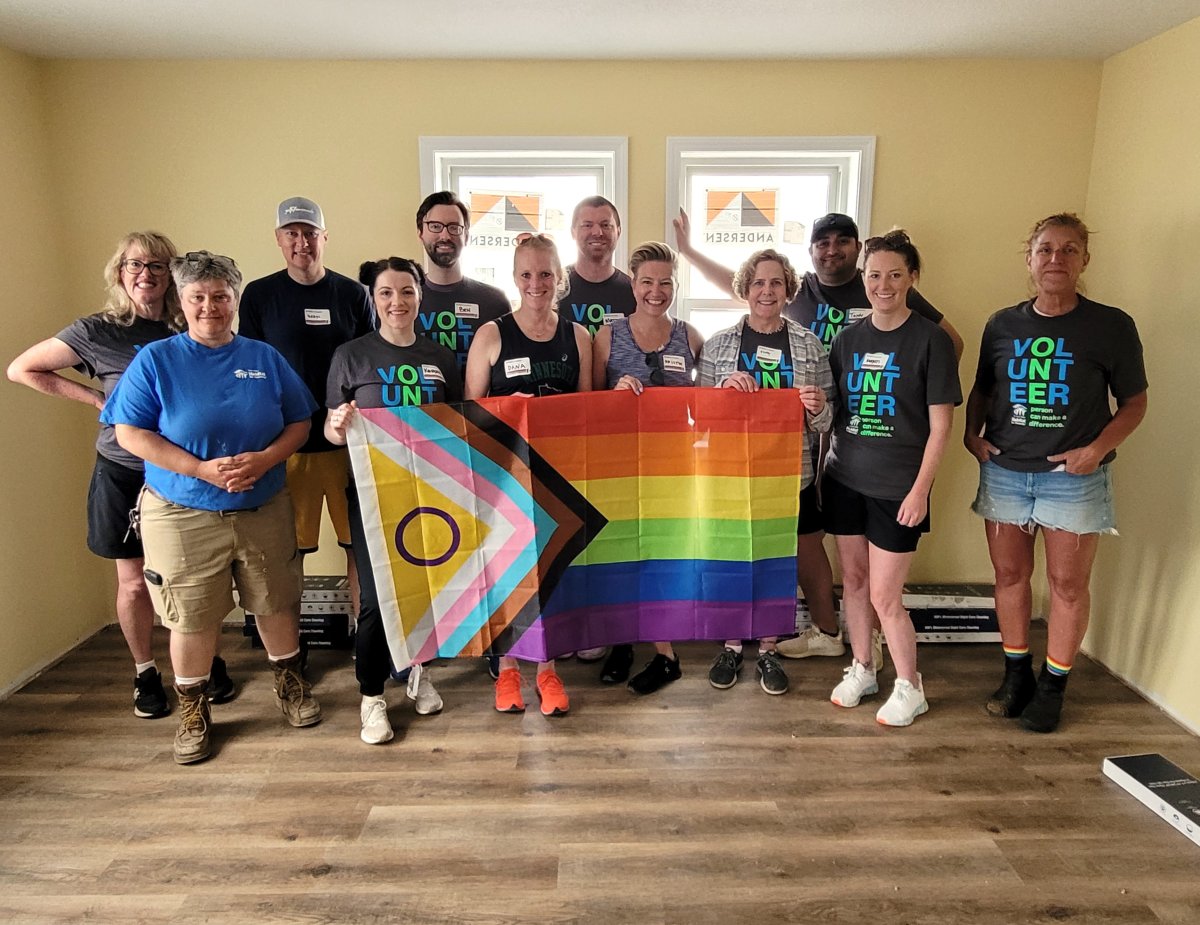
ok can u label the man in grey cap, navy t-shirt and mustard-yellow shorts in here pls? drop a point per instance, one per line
(307, 311)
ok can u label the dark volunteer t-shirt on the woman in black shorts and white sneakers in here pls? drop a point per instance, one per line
(886, 382)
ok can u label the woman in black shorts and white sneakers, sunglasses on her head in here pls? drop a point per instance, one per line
(898, 383)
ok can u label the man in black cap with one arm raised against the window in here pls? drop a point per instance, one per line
(833, 295)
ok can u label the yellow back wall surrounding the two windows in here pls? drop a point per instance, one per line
(203, 151)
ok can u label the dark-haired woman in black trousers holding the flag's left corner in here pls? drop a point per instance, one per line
(387, 369)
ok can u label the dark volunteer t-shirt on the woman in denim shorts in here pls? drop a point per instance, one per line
(1051, 379)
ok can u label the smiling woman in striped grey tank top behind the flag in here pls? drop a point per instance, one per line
(646, 349)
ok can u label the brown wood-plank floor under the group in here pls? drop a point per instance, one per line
(693, 806)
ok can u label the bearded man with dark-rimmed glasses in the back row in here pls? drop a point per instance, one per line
(453, 307)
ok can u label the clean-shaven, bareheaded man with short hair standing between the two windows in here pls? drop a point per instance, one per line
(598, 290)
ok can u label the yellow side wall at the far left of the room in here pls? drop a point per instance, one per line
(55, 591)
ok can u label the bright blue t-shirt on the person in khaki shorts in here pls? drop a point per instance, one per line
(213, 403)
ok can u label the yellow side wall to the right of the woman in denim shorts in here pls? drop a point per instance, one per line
(1144, 201)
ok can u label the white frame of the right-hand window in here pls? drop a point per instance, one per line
(853, 157)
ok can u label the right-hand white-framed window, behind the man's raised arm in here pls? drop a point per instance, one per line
(743, 195)
